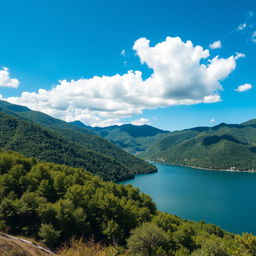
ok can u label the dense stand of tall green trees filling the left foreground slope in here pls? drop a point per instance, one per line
(39, 198)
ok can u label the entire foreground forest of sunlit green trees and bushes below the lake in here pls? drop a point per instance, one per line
(54, 203)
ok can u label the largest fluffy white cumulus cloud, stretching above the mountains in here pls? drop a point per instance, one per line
(182, 73)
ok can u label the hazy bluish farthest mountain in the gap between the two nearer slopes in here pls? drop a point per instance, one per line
(132, 138)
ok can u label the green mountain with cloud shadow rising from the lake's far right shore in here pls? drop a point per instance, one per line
(225, 146)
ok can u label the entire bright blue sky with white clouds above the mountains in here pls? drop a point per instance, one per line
(170, 64)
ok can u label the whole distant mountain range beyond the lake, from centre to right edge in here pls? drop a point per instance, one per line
(225, 146)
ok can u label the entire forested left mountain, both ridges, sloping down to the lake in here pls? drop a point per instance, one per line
(60, 142)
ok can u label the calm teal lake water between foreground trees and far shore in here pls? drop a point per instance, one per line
(227, 199)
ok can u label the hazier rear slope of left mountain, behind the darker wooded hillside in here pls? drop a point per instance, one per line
(80, 135)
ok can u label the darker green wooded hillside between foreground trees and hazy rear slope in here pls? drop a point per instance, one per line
(35, 141)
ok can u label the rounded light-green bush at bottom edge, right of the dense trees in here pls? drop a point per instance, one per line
(148, 240)
